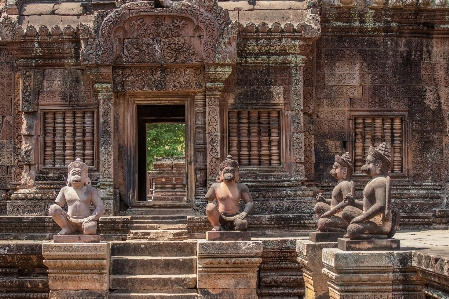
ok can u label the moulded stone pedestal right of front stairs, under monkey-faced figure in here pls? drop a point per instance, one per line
(228, 269)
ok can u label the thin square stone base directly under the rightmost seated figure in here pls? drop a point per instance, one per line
(368, 245)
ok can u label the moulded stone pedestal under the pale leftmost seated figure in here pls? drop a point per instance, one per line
(78, 270)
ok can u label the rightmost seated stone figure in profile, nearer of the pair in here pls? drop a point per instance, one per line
(376, 219)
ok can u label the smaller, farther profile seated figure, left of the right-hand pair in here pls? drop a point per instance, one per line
(329, 210)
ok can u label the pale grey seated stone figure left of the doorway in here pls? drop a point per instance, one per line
(77, 195)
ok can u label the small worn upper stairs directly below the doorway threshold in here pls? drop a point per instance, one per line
(158, 227)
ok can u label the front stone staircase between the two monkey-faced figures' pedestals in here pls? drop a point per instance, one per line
(153, 270)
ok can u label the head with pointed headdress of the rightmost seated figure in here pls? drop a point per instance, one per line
(377, 161)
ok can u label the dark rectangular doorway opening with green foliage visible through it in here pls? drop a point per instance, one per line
(161, 153)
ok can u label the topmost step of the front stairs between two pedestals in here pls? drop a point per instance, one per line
(154, 248)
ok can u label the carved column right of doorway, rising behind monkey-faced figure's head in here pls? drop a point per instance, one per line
(215, 77)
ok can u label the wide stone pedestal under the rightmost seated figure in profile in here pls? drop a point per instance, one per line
(371, 274)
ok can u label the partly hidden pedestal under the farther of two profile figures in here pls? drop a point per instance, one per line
(310, 257)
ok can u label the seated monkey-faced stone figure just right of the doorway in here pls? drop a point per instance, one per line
(228, 193)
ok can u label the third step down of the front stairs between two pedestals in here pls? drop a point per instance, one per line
(140, 283)
